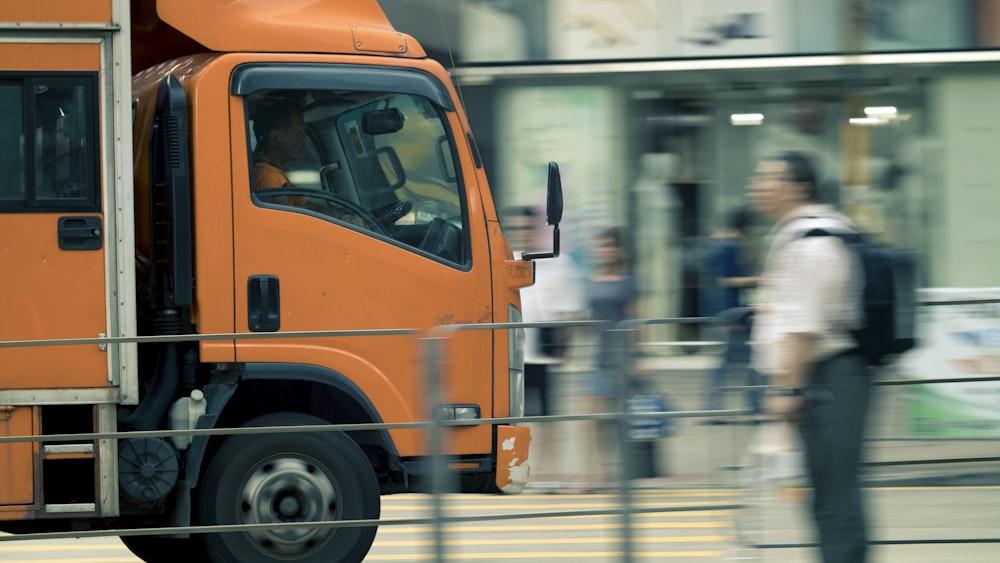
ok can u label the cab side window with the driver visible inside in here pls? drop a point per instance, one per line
(379, 162)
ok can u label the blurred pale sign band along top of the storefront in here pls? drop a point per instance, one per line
(536, 30)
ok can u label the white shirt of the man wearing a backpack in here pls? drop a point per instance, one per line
(810, 285)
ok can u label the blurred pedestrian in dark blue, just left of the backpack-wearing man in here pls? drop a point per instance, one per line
(725, 299)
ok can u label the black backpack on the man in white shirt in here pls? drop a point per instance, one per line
(889, 297)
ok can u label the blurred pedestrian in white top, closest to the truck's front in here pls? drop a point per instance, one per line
(556, 295)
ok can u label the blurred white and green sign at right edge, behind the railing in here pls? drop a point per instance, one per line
(959, 338)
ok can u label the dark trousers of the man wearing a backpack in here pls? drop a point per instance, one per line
(832, 429)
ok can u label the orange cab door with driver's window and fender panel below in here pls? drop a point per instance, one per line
(353, 215)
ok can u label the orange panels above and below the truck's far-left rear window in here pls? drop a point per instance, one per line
(45, 293)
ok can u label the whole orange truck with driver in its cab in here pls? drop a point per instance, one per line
(196, 197)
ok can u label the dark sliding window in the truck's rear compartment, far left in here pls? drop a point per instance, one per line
(48, 138)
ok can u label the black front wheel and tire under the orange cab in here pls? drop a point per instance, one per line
(271, 478)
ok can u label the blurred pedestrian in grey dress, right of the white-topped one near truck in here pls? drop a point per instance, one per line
(612, 293)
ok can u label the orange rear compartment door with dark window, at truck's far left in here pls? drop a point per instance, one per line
(52, 252)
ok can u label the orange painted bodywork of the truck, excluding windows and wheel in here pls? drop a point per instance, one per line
(333, 277)
